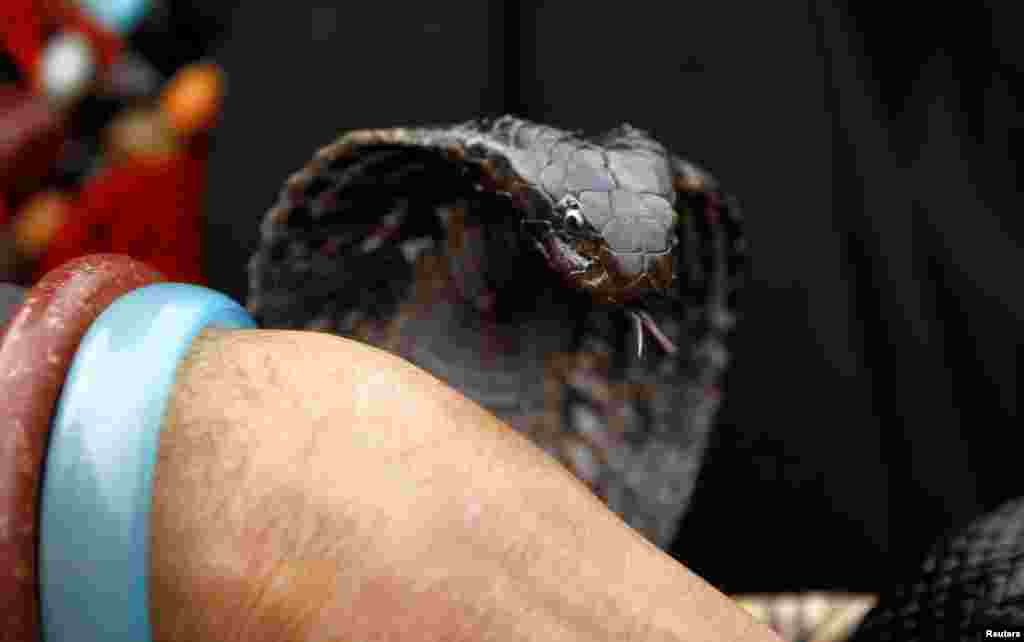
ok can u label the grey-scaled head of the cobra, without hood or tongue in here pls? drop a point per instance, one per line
(609, 227)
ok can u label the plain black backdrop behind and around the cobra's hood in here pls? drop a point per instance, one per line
(872, 405)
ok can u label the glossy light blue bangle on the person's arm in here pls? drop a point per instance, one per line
(97, 495)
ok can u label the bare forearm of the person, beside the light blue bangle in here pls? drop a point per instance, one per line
(317, 490)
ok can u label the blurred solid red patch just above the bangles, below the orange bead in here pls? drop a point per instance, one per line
(148, 208)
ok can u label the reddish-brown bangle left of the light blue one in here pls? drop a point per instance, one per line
(36, 350)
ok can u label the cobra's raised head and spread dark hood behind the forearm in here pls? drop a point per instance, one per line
(582, 288)
